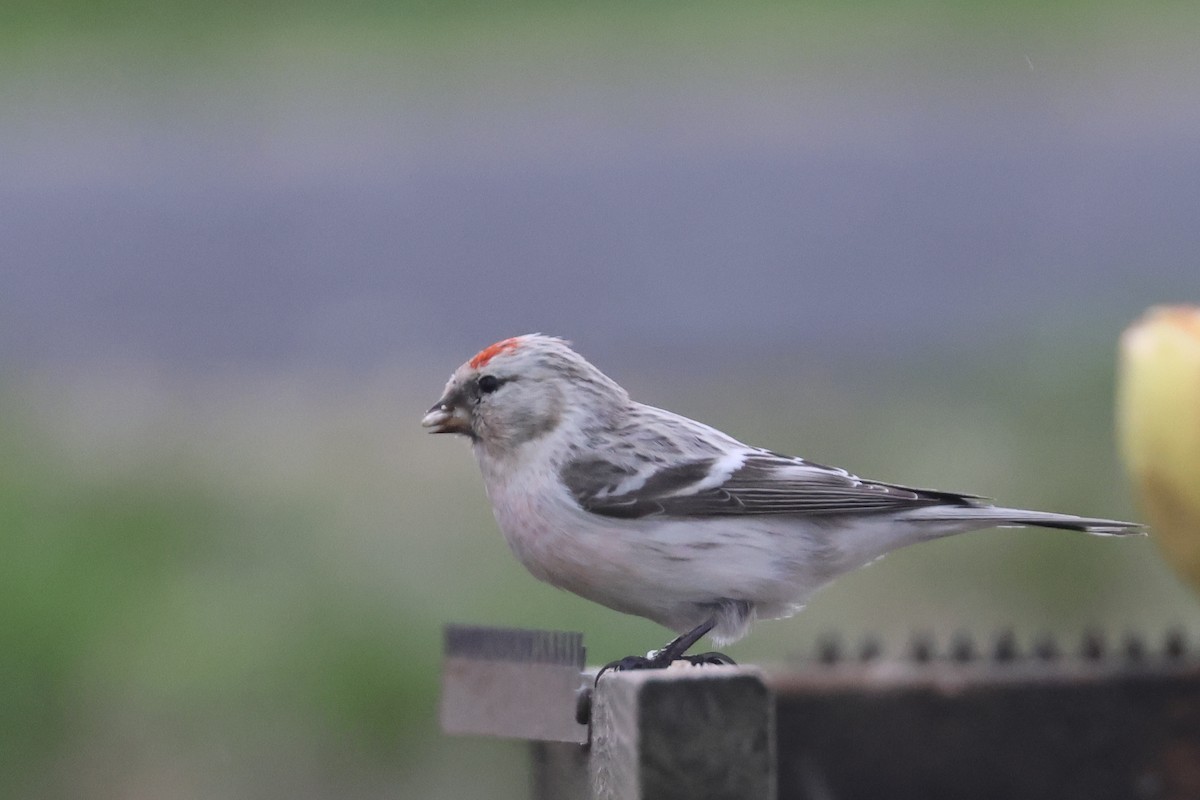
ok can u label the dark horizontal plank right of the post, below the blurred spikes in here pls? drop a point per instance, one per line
(1030, 731)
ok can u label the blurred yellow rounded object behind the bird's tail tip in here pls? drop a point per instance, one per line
(1159, 424)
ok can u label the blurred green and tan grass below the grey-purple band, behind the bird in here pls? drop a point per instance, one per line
(219, 588)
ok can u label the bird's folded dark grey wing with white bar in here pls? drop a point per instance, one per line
(749, 483)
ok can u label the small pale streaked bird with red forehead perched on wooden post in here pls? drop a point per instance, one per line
(652, 514)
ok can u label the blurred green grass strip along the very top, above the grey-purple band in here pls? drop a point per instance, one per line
(704, 39)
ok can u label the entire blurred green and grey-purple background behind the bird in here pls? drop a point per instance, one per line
(245, 244)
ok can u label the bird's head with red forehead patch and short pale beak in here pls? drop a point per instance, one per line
(519, 390)
